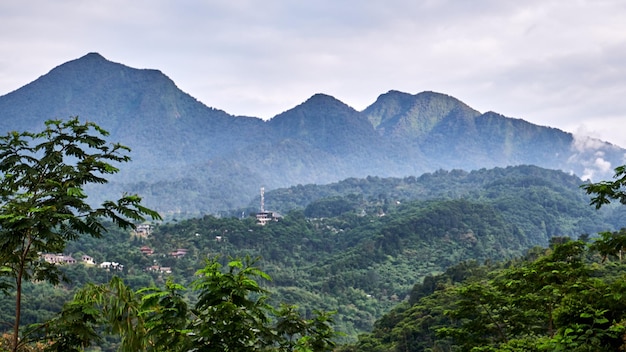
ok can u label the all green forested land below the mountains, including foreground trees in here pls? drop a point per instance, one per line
(116, 277)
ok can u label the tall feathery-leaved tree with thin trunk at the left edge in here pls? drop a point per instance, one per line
(43, 204)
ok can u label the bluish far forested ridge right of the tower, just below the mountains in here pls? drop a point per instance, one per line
(520, 193)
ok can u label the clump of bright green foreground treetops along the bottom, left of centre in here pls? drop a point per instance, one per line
(231, 314)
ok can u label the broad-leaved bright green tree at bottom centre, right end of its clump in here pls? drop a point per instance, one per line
(232, 314)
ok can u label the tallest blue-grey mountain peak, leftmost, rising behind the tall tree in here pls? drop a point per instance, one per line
(142, 109)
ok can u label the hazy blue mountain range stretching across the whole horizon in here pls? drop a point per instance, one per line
(191, 158)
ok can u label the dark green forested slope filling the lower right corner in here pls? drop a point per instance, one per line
(567, 297)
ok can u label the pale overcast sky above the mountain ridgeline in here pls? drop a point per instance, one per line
(554, 63)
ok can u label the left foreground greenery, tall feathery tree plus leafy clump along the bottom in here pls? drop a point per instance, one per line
(44, 207)
